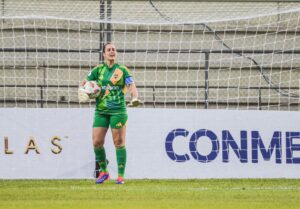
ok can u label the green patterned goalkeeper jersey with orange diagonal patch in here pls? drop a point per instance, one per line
(112, 82)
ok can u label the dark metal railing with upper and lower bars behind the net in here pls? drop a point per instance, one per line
(154, 101)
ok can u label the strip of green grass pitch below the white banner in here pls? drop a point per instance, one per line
(144, 194)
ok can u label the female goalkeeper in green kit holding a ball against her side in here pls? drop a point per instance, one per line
(115, 80)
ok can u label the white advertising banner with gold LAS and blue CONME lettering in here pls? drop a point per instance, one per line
(161, 143)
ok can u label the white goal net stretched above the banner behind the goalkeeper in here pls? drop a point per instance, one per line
(188, 54)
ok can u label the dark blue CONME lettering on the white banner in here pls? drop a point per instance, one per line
(242, 148)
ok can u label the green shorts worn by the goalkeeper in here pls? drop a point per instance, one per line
(115, 121)
